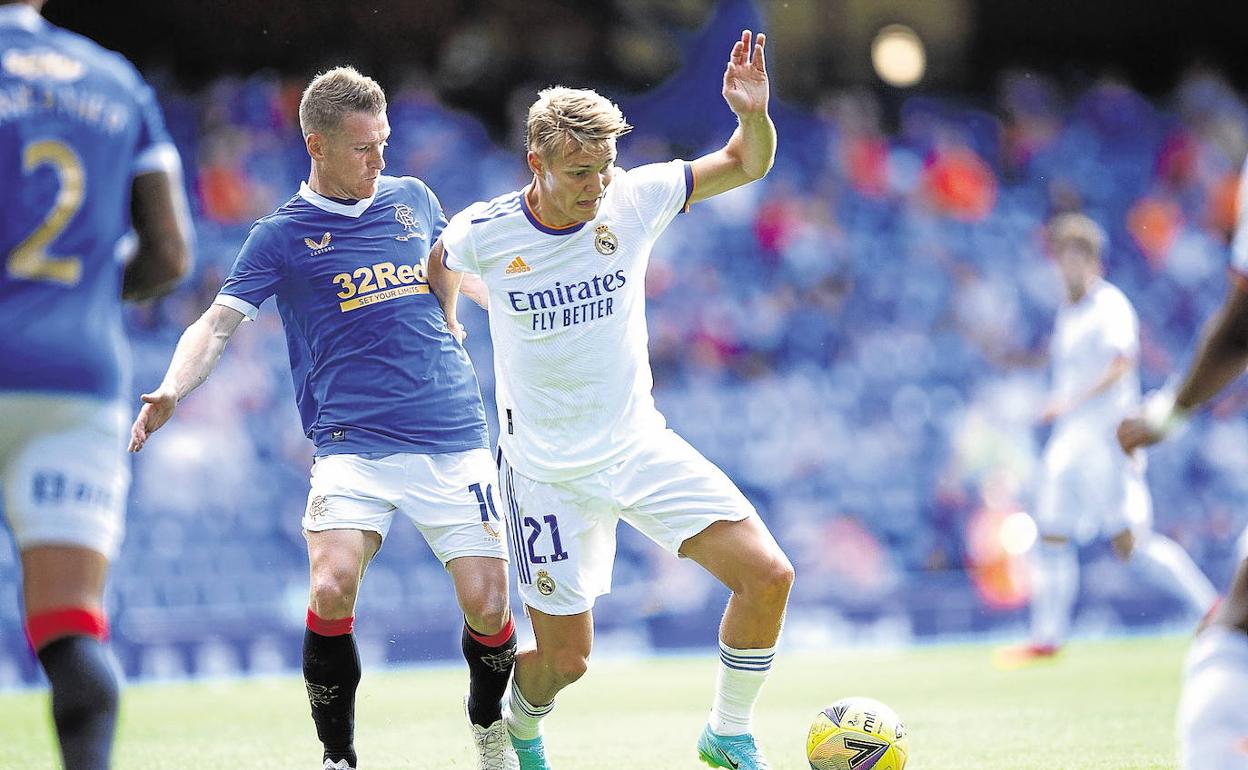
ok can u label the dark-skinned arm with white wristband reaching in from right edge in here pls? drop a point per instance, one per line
(1220, 359)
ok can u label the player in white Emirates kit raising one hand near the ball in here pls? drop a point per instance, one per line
(582, 445)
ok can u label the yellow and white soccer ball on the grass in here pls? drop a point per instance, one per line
(857, 734)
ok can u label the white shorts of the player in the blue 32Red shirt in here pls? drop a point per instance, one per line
(450, 499)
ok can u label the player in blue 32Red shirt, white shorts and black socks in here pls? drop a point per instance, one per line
(386, 394)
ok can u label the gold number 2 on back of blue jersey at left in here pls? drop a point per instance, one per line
(31, 260)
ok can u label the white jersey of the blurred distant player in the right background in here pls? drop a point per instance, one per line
(1089, 336)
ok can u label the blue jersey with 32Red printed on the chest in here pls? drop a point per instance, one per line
(375, 368)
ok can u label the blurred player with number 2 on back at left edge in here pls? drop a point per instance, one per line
(84, 155)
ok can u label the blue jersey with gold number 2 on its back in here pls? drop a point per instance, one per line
(77, 125)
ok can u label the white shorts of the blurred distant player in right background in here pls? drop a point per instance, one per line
(1090, 489)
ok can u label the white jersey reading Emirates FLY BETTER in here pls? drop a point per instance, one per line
(567, 315)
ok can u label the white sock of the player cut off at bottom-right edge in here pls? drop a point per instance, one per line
(1214, 709)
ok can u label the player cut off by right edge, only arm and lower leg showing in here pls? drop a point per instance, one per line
(1214, 711)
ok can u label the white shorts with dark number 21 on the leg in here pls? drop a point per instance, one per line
(563, 534)
